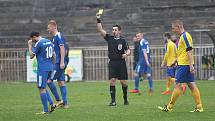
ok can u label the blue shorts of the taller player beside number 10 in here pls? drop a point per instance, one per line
(58, 73)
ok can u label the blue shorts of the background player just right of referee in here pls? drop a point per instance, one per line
(143, 69)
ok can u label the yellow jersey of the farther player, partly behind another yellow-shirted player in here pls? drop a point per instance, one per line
(170, 55)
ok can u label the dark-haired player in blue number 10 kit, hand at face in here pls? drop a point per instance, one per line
(43, 50)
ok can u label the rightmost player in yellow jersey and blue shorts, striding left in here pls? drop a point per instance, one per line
(185, 69)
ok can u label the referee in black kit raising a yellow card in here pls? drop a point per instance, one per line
(118, 50)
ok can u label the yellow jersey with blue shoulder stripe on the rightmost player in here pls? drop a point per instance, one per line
(184, 43)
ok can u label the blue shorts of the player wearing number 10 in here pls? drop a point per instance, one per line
(42, 77)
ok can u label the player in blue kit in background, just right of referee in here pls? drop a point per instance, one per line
(143, 67)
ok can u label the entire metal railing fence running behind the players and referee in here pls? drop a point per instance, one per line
(95, 63)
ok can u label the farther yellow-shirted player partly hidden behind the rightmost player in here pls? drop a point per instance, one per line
(169, 62)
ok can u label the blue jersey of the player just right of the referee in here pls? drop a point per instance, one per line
(144, 47)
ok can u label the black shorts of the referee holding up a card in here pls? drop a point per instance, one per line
(118, 69)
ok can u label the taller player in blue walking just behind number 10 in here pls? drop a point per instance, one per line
(61, 50)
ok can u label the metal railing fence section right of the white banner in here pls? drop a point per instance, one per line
(96, 63)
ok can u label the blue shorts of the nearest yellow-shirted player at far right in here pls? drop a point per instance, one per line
(183, 74)
